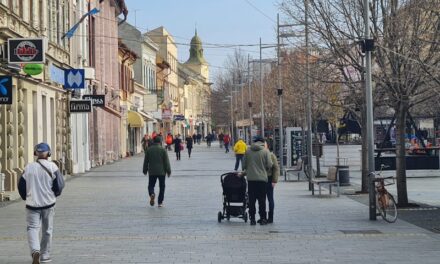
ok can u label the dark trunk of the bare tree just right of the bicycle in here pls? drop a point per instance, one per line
(402, 193)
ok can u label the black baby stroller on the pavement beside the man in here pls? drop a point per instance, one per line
(235, 197)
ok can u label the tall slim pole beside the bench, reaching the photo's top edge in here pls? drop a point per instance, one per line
(309, 98)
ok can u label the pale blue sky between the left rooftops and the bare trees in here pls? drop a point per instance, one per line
(217, 21)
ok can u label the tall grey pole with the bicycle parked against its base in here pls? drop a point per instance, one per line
(368, 44)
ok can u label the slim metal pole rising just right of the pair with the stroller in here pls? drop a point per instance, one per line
(280, 98)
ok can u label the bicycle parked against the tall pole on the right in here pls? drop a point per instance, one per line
(385, 203)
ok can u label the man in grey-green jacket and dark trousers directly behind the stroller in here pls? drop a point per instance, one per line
(256, 163)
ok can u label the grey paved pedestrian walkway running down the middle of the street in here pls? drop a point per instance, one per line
(103, 217)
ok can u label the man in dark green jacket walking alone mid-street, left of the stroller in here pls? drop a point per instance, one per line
(157, 165)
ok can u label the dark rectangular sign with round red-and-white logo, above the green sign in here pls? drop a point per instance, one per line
(26, 50)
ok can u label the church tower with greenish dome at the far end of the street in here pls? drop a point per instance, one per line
(196, 61)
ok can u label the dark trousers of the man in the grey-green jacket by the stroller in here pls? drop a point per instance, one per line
(257, 191)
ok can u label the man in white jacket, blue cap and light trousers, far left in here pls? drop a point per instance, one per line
(39, 185)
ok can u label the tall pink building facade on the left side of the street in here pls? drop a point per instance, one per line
(105, 121)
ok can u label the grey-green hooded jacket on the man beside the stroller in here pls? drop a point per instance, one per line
(257, 162)
